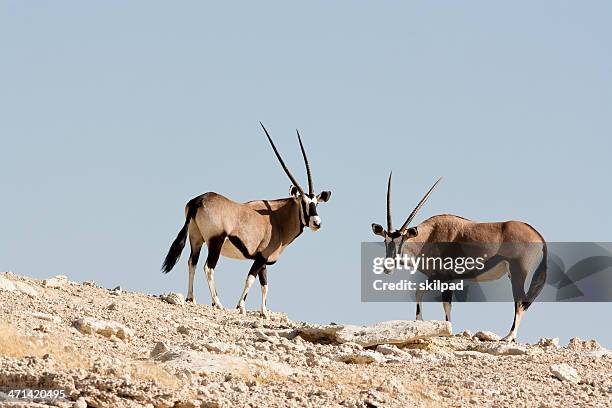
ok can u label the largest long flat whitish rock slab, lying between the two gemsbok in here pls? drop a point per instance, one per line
(393, 332)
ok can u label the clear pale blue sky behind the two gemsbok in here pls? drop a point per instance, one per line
(114, 114)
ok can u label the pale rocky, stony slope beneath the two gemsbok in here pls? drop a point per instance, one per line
(111, 348)
